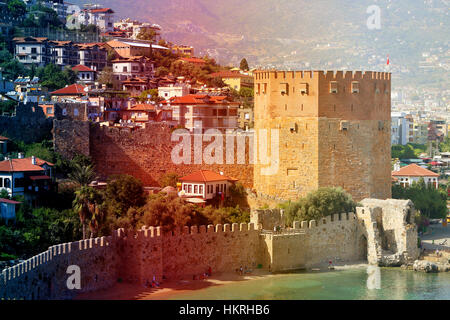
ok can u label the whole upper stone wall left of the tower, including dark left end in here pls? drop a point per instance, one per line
(143, 153)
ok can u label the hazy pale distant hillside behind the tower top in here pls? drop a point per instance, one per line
(287, 33)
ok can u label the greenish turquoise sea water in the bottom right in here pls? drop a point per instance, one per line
(367, 283)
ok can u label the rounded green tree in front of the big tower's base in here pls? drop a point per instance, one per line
(320, 203)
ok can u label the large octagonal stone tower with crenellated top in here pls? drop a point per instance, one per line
(334, 130)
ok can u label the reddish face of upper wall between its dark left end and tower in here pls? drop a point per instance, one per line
(146, 155)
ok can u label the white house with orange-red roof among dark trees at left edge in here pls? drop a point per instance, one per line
(25, 176)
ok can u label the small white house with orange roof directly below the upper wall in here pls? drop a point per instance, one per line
(206, 184)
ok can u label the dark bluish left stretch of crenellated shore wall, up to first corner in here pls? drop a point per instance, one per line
(44, 276)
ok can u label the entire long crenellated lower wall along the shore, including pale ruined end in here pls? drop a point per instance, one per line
(381, 232)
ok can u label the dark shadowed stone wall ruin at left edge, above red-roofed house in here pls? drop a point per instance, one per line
(28, 125)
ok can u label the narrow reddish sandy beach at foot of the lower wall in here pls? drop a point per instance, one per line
(167, 289)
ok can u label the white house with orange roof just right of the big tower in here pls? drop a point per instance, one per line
(407, 175)
